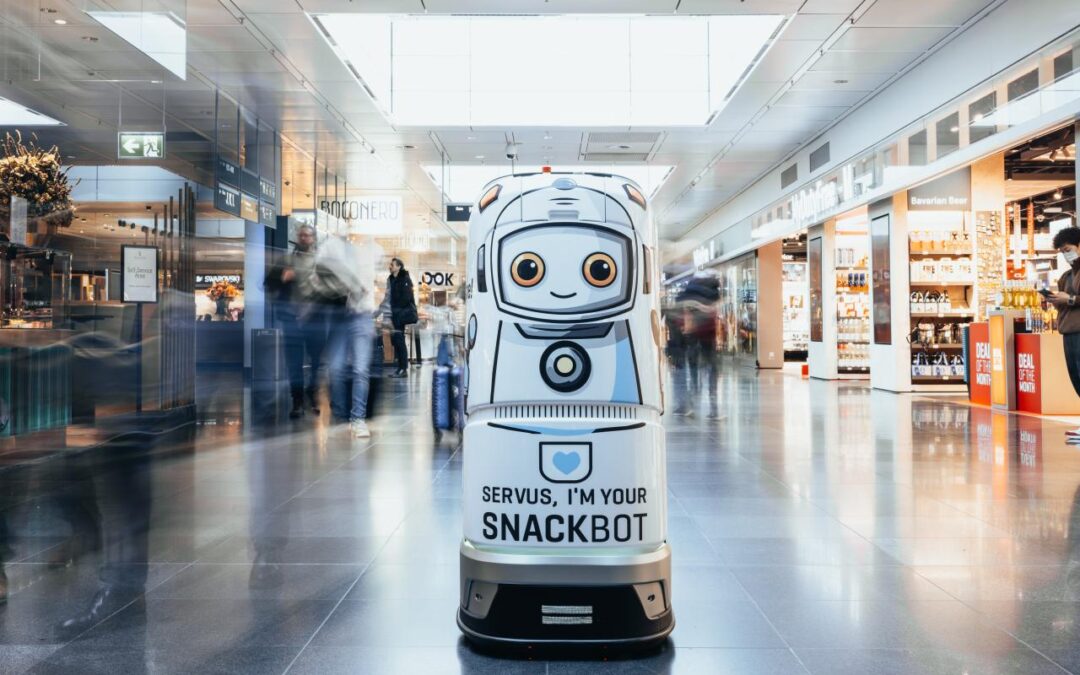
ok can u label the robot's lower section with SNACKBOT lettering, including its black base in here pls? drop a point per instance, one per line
(565, 525)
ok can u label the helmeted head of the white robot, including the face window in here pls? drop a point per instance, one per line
(561, 249)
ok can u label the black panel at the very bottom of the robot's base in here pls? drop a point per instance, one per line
(618, 619)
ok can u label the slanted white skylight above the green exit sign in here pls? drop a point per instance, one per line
(163, 36)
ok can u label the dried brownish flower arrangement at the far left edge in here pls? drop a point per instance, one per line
(36, 174)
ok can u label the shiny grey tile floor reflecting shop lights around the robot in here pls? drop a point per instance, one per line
(817, 528)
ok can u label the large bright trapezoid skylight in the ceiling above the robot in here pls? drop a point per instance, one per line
(562, 71)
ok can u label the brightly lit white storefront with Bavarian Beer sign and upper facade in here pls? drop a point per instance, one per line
(913, 239)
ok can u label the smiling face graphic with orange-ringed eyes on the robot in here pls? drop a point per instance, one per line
(565, 269)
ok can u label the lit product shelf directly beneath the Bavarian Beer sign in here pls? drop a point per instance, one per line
(942, 280)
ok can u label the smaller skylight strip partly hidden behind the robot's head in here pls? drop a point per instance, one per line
(465, 182)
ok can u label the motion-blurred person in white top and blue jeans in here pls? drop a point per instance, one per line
(345, 278)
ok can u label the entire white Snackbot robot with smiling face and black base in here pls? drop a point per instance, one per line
(565, 490)
